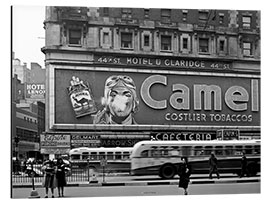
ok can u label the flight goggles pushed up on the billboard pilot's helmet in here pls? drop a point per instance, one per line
(115, 79)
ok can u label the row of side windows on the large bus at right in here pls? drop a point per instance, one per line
(202, 151)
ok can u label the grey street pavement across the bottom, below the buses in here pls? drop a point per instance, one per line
(144, 185)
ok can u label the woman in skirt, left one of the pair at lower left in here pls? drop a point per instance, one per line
(49, 178)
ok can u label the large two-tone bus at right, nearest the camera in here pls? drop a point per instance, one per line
(163, 157)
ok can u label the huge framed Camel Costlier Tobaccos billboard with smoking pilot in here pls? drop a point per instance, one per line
(109, 96)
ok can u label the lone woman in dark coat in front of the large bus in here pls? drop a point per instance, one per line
(184, 173)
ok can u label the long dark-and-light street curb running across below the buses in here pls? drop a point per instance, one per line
(145, 183)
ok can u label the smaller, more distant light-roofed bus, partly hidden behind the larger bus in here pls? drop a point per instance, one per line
(97, 159)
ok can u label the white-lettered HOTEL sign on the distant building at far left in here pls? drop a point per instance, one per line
(35, 90)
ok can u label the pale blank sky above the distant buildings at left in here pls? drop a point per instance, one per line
(28, 34)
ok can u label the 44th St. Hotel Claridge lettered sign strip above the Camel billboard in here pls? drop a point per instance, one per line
(176, 62)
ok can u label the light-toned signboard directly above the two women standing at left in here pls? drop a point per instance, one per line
(54, 143)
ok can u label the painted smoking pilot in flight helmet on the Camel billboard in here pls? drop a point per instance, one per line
(120, 101)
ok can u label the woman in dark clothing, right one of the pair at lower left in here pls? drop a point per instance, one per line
(61, 176)
